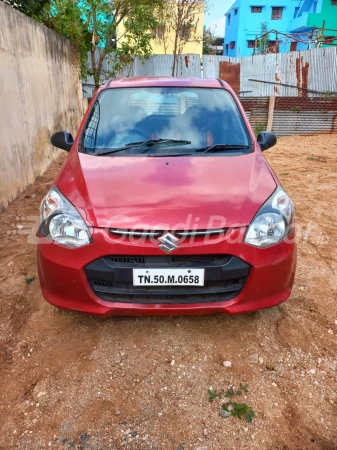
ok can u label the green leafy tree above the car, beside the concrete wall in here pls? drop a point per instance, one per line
(92, 26)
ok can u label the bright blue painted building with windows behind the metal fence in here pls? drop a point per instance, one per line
(244, 23)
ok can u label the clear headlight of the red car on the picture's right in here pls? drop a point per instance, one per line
(273, 222)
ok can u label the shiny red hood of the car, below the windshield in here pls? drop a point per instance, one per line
(165, 193)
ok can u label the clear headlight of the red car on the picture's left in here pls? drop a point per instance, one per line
(61, 222)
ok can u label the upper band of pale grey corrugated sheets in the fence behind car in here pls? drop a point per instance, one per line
(310, 73)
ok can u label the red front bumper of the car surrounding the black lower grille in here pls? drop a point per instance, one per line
(65, 284)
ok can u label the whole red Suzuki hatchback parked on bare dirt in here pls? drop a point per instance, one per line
(166, 205)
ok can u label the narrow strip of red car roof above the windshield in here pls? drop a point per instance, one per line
(165, 82)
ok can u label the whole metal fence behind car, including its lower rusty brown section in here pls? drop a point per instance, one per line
(303, 83)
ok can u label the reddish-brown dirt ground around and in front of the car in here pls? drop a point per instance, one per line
(69, 381)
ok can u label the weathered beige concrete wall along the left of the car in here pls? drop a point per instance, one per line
(40, 93)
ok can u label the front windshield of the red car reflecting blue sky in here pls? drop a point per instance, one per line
(151, 121)
